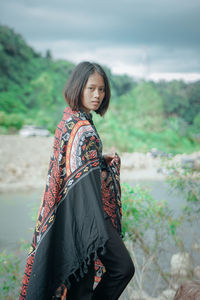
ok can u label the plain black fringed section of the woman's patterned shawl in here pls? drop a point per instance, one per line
(78, 231)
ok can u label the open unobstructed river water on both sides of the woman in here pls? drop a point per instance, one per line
(16, 210)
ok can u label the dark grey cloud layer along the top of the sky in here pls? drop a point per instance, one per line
(127, 21)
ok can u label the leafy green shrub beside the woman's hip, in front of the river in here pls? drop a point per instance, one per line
(148, 224)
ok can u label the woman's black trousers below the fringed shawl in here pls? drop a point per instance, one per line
(119, 271)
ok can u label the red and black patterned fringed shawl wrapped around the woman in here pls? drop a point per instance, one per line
(70, 229)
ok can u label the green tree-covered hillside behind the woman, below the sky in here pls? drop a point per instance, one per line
(142, 115)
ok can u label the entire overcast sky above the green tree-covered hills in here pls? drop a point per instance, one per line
(152, 39)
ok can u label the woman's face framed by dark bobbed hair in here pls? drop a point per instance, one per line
(93, 93)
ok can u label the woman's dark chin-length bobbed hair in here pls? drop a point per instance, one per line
(77, 81)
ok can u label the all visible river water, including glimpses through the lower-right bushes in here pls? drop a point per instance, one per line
(16, 222)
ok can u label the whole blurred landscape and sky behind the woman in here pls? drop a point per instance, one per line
(150, 50)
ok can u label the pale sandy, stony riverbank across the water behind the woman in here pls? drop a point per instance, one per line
(24, 163)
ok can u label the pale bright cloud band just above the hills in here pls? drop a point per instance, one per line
(147, 58)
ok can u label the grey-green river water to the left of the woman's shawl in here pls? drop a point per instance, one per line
(16, 217)
